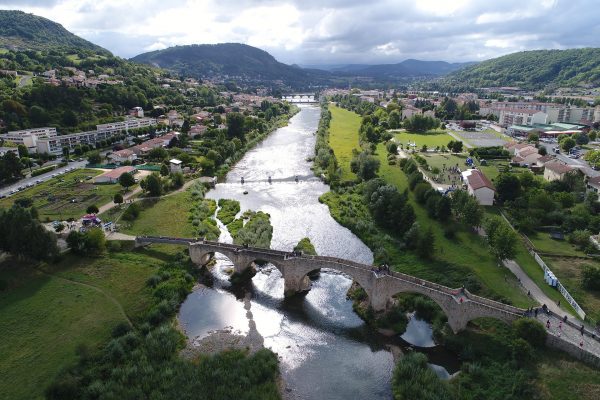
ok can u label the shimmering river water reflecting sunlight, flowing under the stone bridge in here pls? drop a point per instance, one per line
(326, 351)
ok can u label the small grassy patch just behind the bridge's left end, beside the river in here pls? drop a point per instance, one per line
(168, 216)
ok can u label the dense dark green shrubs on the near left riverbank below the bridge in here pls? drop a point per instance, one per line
(143, 361)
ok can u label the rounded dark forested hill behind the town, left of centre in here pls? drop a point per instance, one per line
(228, 60)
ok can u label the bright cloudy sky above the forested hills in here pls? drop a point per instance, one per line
(331, 31)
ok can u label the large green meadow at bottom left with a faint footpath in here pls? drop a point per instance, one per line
(47, 315)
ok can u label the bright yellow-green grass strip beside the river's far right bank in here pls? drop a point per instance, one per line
(343, 138)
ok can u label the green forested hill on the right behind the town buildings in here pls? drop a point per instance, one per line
(533, 70)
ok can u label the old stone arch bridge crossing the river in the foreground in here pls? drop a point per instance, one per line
(459, 305)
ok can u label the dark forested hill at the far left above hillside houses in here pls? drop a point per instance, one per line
(21, 31)
